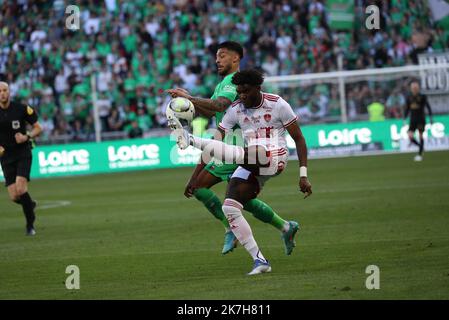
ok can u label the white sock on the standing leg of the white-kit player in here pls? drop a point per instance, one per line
(242, 231)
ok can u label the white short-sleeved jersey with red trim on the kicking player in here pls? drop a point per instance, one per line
(264, 125)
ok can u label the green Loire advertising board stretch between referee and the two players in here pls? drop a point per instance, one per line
(105, 157)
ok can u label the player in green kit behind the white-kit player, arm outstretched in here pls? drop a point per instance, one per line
(228, 58)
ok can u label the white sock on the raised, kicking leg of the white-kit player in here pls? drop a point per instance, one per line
(225, 152)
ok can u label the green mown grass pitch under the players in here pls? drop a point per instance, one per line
(135, 236)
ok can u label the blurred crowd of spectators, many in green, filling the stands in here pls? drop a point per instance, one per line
(139, 48)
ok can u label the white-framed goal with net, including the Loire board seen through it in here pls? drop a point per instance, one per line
(361, 111)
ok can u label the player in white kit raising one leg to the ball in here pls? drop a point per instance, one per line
(264, 119)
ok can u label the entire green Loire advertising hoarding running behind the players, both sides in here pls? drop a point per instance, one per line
(323, 140)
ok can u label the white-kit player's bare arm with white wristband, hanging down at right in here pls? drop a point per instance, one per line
(301, 149)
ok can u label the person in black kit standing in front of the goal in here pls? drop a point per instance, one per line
(415, 105)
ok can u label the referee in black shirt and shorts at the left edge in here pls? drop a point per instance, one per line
(15, 151)
